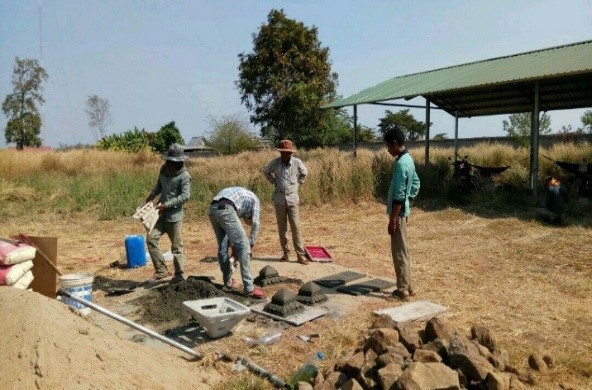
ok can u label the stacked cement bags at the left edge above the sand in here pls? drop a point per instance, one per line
(16, 262)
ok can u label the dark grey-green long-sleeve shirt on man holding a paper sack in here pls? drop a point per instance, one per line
(174, 192)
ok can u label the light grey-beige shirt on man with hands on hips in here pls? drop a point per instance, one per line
(286, 178)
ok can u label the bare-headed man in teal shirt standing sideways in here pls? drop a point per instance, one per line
(404, 187)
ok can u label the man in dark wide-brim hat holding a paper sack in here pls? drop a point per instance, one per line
(174, 187)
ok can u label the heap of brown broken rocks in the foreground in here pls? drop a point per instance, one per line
(435, 357)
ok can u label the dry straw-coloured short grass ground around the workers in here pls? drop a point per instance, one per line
(528, 282)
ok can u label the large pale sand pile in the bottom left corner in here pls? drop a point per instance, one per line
(45, 345)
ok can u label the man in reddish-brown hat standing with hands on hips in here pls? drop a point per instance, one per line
(287, 173)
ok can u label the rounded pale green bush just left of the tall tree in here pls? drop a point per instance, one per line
(230, 135)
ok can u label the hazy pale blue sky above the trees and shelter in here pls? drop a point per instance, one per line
(162, 61)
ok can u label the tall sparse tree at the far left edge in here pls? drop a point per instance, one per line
(20, 107)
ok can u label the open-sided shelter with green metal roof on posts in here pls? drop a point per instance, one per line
(555, 78)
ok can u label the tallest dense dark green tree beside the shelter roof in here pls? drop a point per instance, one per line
(285, 79)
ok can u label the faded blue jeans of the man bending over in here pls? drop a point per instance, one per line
(227, 226)
